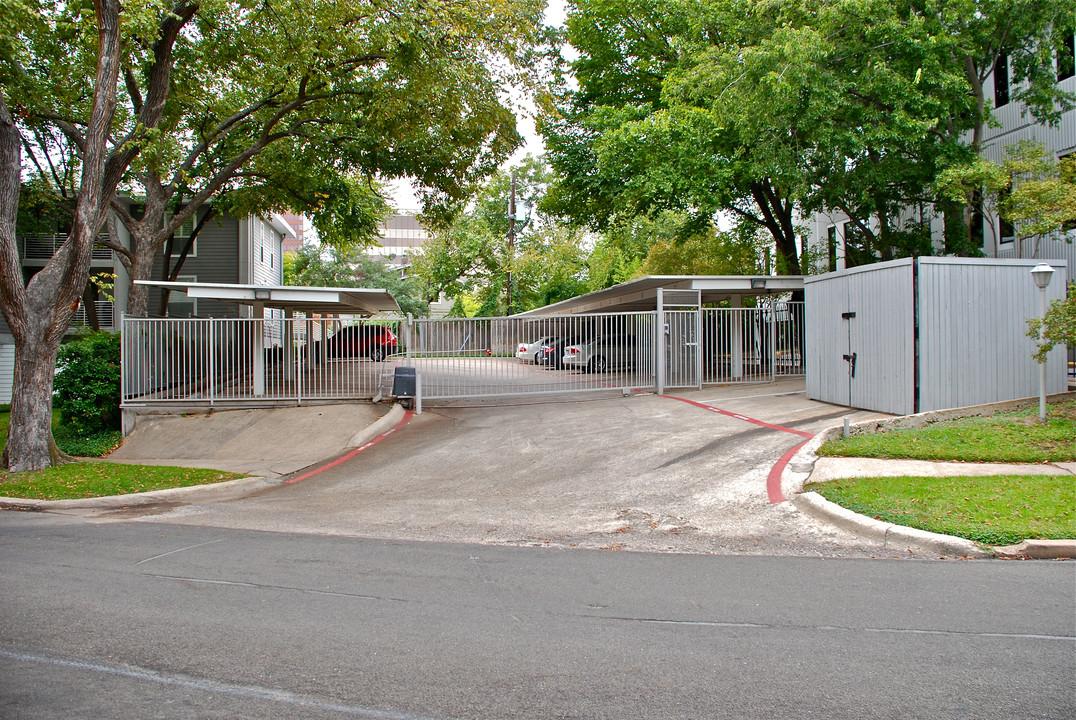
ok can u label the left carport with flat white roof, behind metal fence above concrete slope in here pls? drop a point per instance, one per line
(207, 361)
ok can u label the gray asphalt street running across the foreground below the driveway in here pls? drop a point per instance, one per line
(149, 620)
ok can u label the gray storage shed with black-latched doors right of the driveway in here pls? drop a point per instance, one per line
(928, 334)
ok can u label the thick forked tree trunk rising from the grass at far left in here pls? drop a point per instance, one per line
(40, 312)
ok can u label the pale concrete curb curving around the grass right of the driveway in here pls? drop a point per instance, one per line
(802, 465)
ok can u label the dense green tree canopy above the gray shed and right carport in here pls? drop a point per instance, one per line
(768, 110)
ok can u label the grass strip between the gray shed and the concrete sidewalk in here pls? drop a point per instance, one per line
(1011, 437)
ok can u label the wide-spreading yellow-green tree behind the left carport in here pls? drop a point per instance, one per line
(300, 100)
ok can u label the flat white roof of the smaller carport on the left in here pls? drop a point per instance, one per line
(336, 301)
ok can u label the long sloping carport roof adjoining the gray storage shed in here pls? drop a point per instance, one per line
(642, 294)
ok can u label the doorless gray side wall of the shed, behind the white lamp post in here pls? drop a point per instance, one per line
(973, 328)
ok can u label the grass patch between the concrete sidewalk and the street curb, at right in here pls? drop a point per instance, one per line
(994, 511)
